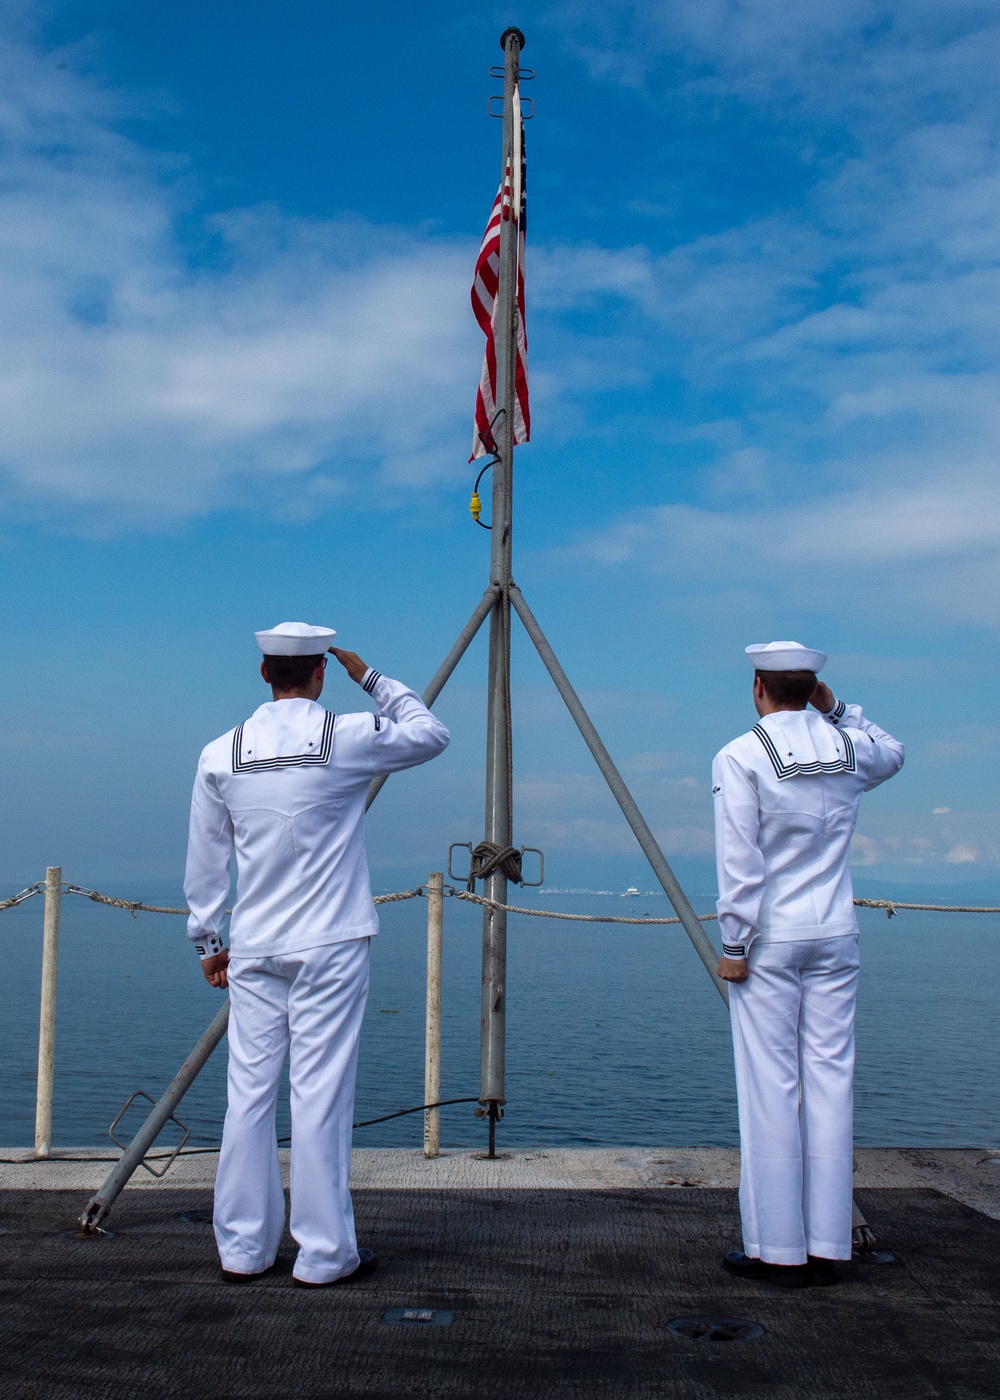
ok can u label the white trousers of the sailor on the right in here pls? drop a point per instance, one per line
(793, 1025)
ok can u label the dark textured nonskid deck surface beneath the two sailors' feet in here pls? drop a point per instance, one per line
(554, 1293)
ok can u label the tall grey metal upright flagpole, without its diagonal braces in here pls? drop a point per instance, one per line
(499, 758)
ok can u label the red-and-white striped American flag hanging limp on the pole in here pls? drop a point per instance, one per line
(511, 204)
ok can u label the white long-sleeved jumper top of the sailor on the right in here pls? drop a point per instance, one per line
(786, 806)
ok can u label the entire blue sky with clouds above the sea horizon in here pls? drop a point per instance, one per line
(239, 363)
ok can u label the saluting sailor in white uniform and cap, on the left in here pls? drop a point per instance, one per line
(286, 790)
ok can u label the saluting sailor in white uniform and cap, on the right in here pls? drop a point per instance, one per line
(786, 801)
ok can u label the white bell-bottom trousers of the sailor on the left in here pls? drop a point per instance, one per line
(307, 1006)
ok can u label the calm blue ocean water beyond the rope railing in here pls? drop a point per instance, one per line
(616, 1034)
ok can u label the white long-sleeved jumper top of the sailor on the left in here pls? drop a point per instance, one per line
(286, 790)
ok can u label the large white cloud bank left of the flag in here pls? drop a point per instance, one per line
(275, 362)
